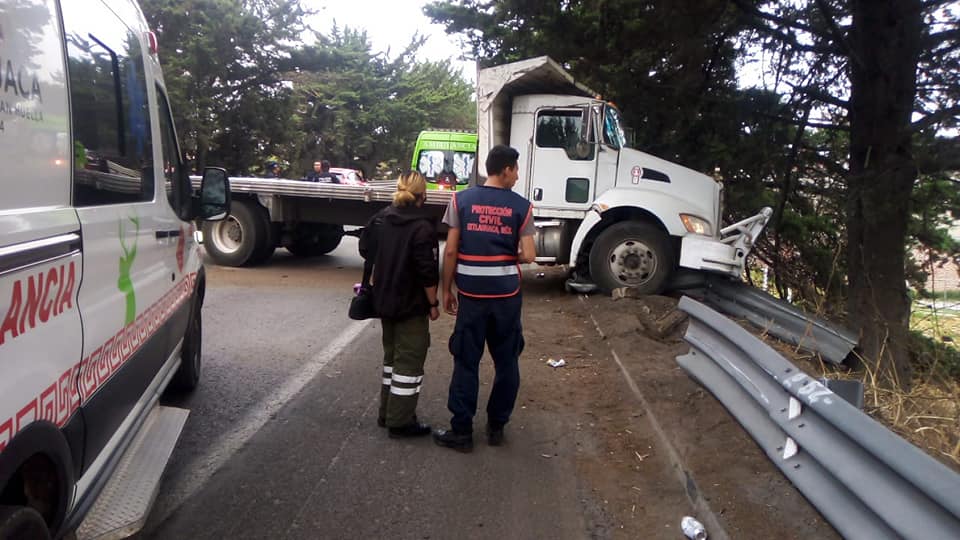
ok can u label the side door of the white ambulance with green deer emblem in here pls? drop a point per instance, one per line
(125, 297)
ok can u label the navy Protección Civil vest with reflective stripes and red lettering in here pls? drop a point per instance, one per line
(490, 223)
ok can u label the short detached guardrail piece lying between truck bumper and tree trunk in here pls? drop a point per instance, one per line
(781, 319)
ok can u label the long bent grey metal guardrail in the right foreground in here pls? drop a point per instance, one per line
(864, 479)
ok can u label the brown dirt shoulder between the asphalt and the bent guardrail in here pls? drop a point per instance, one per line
(629, 487)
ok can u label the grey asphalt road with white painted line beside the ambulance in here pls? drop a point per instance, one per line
(282, 442)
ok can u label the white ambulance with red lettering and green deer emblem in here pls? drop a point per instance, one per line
(101, 280)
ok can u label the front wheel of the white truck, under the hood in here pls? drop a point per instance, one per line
(632, 254)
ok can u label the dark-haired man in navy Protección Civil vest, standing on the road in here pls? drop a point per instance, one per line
(491, 233)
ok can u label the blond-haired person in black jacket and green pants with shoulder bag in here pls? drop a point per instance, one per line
(402, 241)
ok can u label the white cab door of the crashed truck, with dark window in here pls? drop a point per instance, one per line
(563, 167)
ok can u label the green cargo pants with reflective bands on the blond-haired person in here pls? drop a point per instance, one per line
(405, 344)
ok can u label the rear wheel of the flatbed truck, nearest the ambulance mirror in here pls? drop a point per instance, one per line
(235, 240)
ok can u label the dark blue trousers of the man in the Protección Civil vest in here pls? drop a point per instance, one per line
(496, 323)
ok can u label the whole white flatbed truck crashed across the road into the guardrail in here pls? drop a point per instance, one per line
(616, 216)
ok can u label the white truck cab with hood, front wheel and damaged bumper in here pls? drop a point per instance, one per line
(617, 216)
